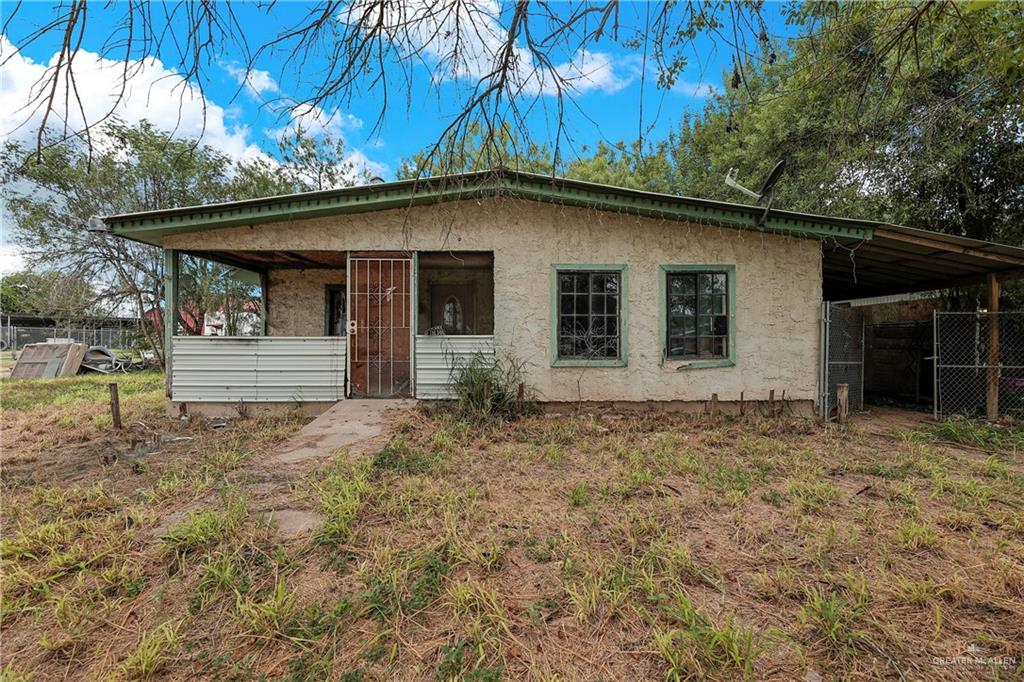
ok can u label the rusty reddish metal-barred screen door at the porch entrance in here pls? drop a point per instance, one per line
(380, 327)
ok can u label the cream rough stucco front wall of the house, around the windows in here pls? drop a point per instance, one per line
(779, 287)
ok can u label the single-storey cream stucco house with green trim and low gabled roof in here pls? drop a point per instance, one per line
(606, 294)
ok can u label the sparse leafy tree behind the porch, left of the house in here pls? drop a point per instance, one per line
(138, 168)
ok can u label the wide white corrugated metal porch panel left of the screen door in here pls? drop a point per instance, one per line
(259, 369)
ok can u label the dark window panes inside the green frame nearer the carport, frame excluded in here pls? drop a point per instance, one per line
(698, 315)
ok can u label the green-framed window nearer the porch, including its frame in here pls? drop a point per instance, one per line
(589, 316)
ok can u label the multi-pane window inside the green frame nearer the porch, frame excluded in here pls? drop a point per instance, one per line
(589, 315)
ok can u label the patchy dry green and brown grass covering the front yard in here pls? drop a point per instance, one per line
(556, 548)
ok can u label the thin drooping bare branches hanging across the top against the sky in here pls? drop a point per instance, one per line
(508, 59)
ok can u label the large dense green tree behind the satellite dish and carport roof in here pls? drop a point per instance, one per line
(930, 139)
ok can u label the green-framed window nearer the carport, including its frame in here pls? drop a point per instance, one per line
(698, 306)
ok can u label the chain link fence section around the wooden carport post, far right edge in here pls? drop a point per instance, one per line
(979, 364)
